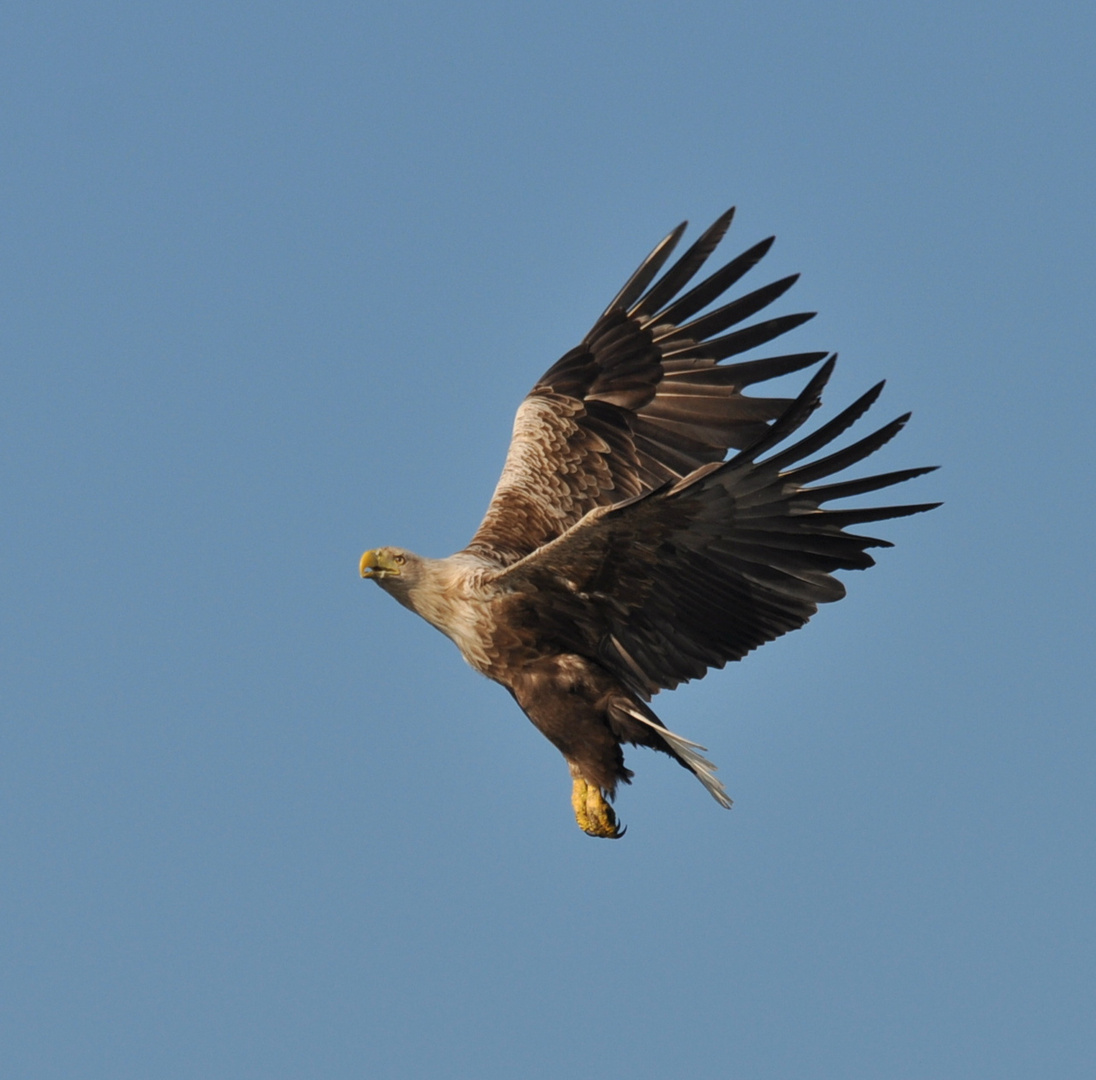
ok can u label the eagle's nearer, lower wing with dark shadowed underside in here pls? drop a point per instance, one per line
(703, 571)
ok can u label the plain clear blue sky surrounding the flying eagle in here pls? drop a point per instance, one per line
(275, 280)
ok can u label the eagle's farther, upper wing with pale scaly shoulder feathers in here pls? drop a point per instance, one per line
(644, 400)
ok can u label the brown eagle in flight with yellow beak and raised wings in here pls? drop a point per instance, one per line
(624, 552)
